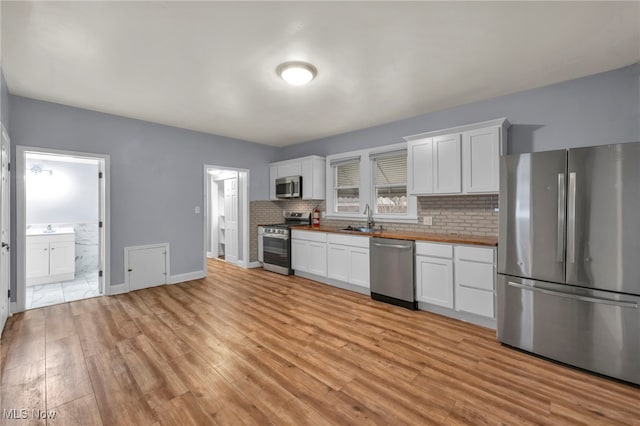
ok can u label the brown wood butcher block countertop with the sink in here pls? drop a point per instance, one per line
(416, 236)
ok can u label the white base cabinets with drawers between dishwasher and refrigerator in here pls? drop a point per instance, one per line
(456, 277)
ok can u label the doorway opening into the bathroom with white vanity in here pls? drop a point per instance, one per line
(61, 226)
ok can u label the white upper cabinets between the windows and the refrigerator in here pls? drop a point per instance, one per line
(461, 160)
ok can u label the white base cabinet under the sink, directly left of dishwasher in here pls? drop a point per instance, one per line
(348, 259)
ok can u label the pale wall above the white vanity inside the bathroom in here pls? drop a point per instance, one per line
(68, 195)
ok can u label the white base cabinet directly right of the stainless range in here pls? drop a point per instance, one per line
(309, 252)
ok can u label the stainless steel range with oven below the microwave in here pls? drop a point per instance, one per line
(276, 243)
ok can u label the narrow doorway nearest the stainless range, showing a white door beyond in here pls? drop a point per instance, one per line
(226, 216)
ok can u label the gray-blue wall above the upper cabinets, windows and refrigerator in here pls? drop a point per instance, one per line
(598, 109)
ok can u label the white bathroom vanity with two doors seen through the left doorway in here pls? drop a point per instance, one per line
(50, 255)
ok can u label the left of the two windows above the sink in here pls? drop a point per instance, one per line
(346, 186)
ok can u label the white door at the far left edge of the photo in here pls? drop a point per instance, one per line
(4, 229)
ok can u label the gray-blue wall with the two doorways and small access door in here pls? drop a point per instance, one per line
(156, 173)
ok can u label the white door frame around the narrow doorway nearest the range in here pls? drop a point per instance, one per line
(243, 186)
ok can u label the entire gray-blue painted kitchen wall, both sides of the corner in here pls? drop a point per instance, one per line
(157, 171)
